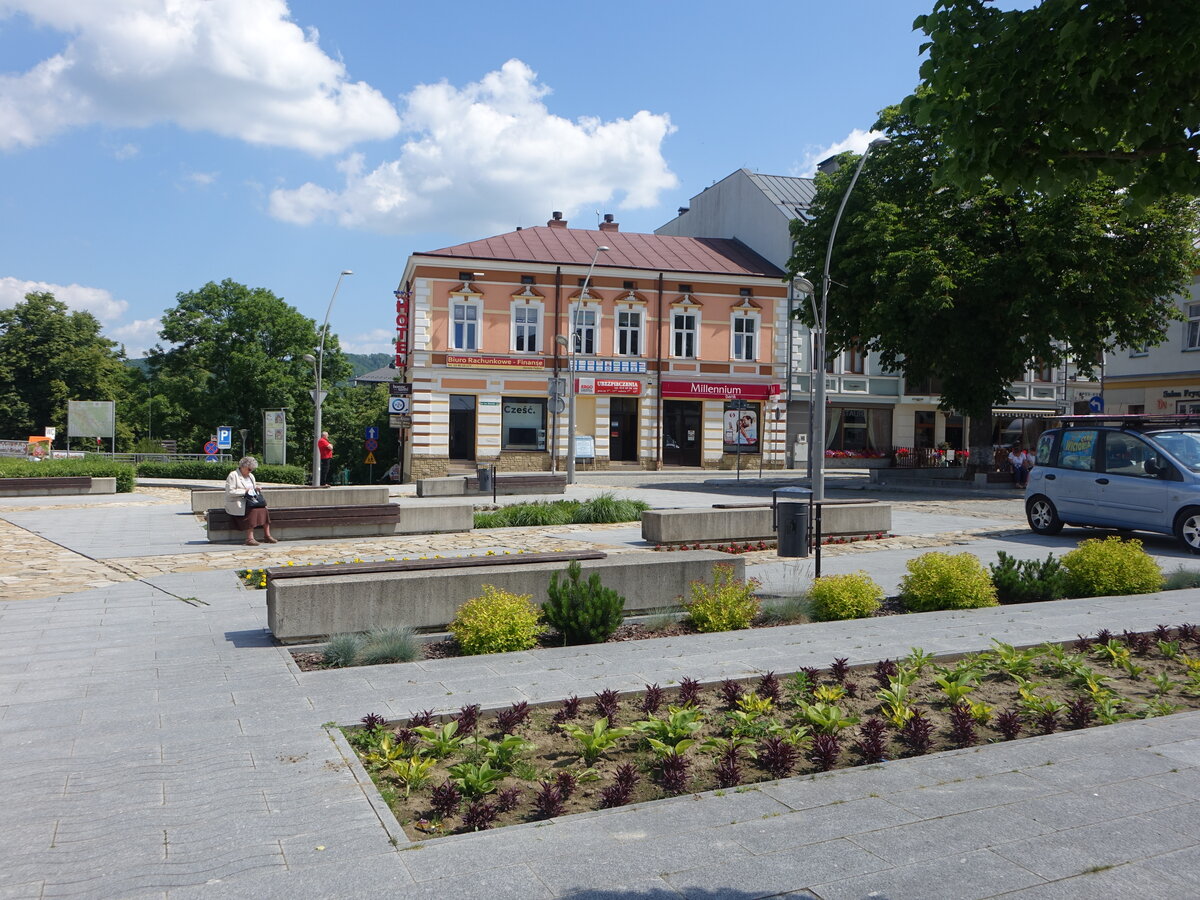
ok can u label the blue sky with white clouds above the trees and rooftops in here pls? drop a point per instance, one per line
(148, 147)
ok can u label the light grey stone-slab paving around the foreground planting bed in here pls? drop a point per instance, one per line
(155, 743)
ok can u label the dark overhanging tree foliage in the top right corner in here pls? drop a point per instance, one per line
(1066, 92)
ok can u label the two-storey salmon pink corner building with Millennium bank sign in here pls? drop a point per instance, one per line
(677, 349)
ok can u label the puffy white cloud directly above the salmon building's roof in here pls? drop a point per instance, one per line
(490, 157)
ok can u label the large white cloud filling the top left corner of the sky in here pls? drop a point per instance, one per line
(236, 68)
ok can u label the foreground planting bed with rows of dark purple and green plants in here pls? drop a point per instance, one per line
(691, 737)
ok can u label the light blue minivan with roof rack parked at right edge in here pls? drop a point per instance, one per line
(1126, 472)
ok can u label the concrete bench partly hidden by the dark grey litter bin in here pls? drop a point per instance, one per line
(730, 523)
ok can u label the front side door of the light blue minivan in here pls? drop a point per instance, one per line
(1127, 496)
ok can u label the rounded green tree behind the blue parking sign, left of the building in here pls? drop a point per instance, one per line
(231, 353)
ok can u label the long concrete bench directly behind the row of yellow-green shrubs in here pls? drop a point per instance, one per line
(310, 608)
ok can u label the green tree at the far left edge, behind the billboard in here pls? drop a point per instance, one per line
(49, 357)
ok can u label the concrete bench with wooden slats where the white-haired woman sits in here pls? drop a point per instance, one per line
(362, 521)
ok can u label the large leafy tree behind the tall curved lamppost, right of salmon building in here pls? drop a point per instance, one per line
(975, 287)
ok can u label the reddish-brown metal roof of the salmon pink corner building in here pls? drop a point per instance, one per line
(656, 253)
